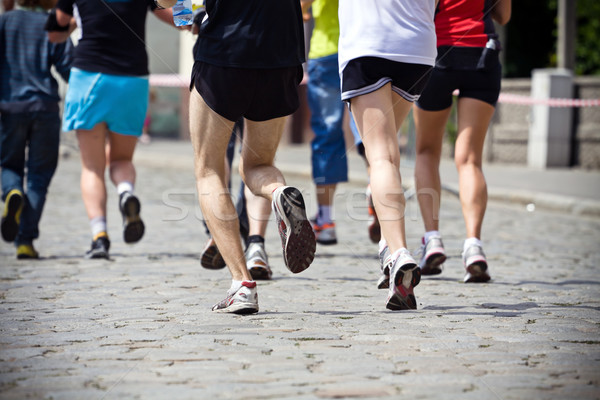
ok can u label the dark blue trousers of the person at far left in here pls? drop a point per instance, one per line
(29, 148)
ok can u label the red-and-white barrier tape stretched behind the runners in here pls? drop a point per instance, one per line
(175, 80)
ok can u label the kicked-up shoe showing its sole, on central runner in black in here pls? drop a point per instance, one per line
(297, 237)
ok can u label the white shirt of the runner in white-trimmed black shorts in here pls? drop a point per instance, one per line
(397, 30)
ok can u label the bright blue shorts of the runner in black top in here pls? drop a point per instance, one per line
(93, 97)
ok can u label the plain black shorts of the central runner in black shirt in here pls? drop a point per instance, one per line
(255, 94)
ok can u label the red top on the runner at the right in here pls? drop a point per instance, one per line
(464, 23)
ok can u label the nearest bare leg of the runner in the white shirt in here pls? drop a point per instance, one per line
(378, 115)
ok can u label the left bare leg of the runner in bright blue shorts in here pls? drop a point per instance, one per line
(93, 164)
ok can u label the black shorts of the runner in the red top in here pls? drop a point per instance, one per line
(482, 85)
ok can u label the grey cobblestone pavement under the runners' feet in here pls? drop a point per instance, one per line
(140, 327)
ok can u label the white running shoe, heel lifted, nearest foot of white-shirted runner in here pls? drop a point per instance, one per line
(404, 276)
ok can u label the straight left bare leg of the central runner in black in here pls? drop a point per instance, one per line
(210, 134)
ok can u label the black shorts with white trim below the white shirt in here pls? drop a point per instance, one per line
(367, 74)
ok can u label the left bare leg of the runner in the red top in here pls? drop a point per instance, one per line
(430, 127)
